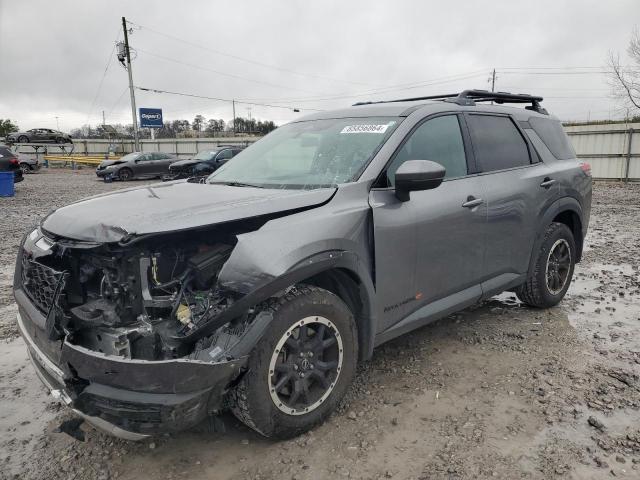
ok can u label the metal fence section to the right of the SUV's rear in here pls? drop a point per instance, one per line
(613, 150)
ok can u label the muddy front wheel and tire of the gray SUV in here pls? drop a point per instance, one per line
(301, 368)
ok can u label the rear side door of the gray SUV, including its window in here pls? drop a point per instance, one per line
(518, 189)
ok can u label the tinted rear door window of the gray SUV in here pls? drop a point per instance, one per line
(497, 143)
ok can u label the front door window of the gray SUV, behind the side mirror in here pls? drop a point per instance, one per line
(439, 140)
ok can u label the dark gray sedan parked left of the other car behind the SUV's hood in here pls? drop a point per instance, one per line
(137, 165)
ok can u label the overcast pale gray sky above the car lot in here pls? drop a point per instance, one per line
(308, 55)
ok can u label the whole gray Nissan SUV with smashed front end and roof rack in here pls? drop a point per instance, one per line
(148, 309)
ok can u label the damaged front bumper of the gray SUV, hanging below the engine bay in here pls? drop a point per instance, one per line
(131, 399)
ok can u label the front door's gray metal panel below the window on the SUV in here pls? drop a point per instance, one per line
(428, 247)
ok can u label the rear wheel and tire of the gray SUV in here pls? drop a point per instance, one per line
(553, 270)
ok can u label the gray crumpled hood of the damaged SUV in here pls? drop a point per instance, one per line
(172, 206)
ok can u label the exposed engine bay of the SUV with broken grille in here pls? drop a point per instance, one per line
(147, 300)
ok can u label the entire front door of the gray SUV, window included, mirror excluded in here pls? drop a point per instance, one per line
(431, 246)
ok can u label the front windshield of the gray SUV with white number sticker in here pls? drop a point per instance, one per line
(312, 154)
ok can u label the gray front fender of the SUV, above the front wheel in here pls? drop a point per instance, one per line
(292, 249)
